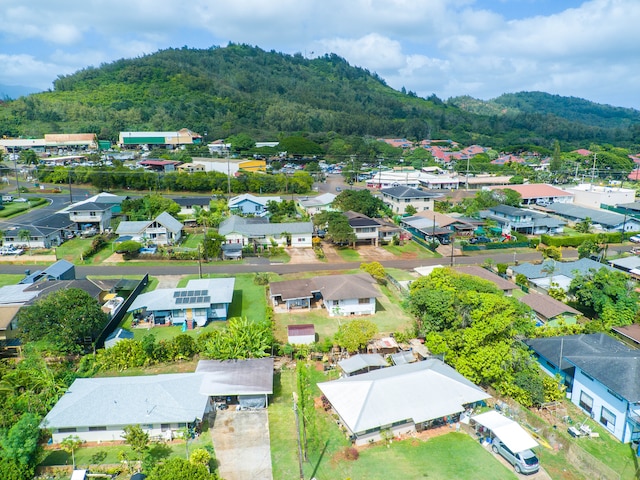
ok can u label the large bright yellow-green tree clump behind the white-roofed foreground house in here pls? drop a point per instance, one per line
(477, 329)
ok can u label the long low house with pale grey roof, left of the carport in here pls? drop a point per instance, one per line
(98, 409)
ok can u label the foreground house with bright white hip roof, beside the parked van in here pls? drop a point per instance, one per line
(403, 399)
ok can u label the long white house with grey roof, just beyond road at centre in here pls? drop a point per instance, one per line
(259, 232)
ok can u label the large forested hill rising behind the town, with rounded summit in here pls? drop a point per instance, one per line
(243, 89)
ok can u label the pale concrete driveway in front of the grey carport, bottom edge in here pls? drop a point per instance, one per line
(241, 443)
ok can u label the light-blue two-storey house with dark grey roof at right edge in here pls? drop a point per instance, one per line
(601, 376)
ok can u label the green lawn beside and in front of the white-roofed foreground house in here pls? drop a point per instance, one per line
(451, 456)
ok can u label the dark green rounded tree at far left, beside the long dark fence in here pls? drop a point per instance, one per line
(63, 320)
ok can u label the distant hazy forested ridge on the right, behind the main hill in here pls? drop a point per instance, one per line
(570, 108)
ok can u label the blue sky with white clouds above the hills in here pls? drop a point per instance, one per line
(482, 48)
